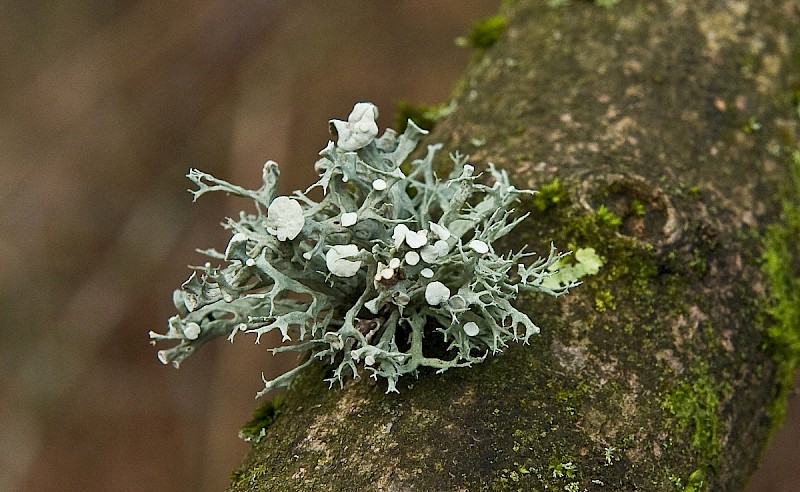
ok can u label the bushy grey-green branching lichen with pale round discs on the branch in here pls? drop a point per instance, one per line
(388, 260)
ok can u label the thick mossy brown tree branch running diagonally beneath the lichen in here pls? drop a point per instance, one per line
(660, 134)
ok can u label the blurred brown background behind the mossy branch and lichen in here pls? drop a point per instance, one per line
(104, 107)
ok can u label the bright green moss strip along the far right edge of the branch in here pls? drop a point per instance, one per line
(782, 267)
